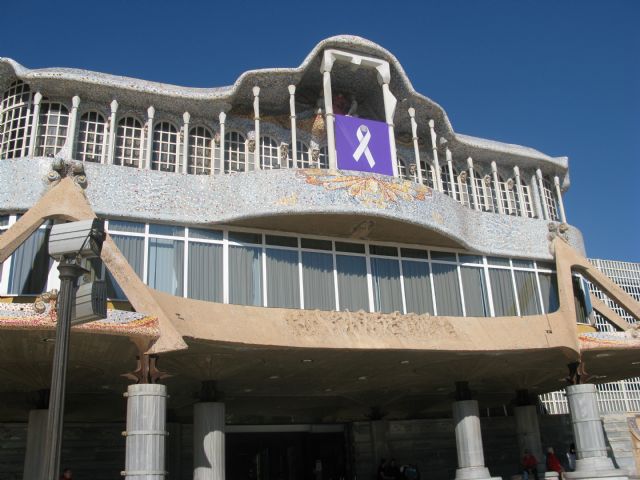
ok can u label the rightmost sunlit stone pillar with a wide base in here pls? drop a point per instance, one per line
(592, 461)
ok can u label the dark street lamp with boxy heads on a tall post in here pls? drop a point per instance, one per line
(73, 245)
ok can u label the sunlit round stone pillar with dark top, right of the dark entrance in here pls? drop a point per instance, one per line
(469, 442)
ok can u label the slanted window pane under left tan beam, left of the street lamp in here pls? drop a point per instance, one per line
(30, 265)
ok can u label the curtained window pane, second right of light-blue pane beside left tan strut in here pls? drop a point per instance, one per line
(245, 275)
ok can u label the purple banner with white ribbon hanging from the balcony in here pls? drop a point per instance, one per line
(363, 145)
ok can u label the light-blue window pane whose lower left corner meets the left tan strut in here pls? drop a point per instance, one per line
(166, 265)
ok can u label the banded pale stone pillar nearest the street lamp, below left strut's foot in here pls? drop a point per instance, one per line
(146, 432)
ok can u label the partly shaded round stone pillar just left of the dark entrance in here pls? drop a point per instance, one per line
(208, 441)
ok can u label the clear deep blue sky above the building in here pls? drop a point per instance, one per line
(559, 76)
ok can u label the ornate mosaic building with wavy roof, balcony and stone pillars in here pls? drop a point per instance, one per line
(308, 271)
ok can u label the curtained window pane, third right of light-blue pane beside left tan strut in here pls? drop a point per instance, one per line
(283, 287)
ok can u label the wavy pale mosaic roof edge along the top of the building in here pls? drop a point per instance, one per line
(226, 94)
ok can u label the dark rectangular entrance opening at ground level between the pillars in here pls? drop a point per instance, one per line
(286, 456)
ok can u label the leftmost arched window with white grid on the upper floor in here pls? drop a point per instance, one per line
(15, 114)
